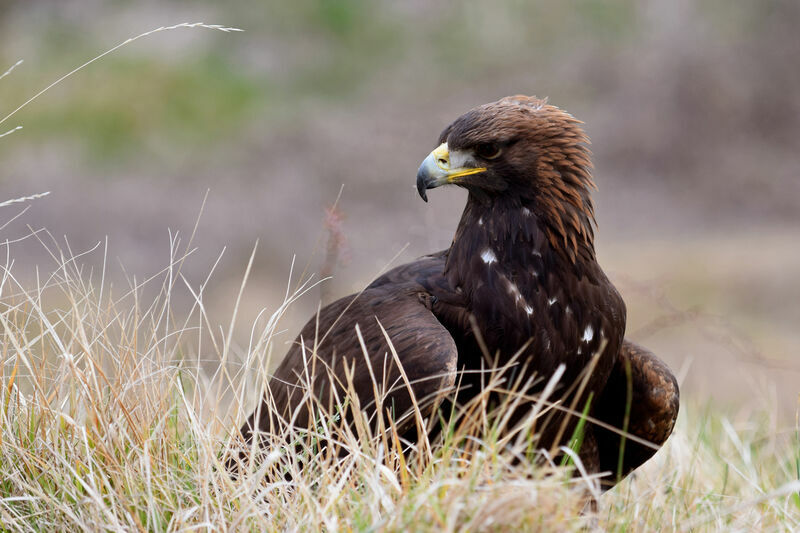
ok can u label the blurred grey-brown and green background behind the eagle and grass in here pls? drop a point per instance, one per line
(693, 108)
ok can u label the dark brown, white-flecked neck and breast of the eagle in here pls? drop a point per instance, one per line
(526, 269)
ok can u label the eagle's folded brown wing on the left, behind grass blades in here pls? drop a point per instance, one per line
(329, 358)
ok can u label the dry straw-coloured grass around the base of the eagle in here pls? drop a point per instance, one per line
(118, 411)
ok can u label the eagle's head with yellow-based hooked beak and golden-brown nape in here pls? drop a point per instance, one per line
(520, 152)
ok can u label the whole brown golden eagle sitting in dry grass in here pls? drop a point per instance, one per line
(520, 276)
